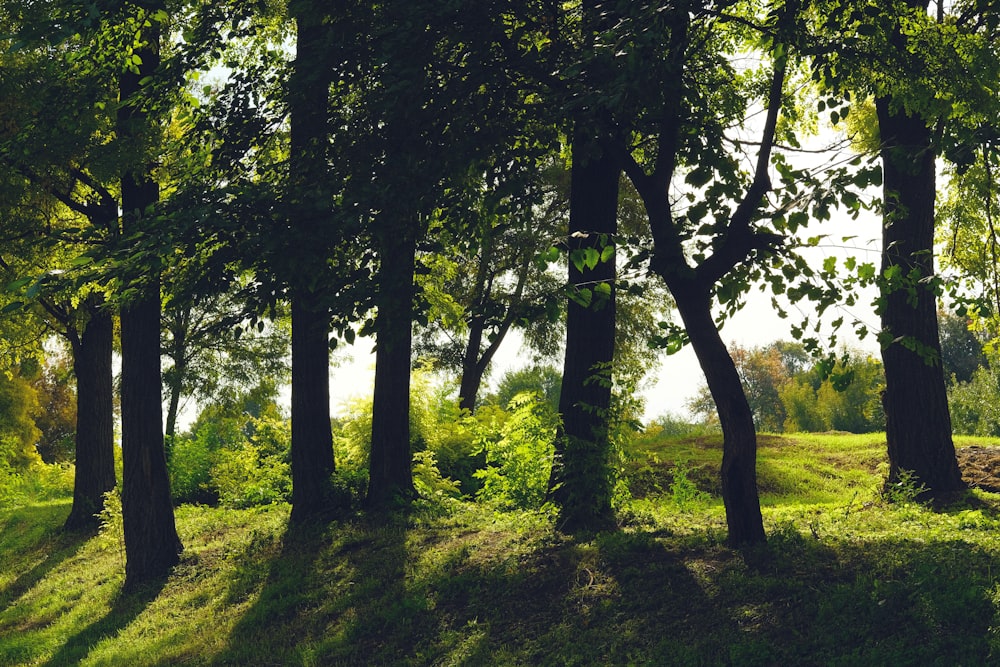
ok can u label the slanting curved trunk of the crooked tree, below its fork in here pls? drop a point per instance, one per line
(739, 449)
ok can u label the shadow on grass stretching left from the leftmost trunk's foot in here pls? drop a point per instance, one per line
(56, 545)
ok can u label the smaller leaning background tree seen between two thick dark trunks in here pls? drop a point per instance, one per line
(487, 279)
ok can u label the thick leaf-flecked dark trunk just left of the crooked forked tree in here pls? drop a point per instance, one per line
(581, 480)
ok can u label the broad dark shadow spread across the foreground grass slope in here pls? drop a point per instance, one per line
(372, 591)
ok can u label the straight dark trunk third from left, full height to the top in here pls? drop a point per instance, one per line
(312, 441)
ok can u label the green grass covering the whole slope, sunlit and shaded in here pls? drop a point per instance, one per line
(845, 579)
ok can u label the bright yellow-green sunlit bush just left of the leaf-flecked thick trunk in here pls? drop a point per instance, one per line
(518, 455)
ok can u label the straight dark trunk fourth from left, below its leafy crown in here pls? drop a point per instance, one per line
(390, 465)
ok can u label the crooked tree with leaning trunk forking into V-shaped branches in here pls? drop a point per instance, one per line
(735, 241)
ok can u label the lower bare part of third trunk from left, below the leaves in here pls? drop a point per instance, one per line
(312, 440)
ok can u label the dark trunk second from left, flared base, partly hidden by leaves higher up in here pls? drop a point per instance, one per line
(152, 546)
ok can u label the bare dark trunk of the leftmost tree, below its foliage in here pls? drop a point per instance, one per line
(95, 455)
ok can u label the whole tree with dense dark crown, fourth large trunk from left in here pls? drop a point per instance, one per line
(434, 94)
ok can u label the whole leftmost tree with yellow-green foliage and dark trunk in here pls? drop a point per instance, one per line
(54, 207)
